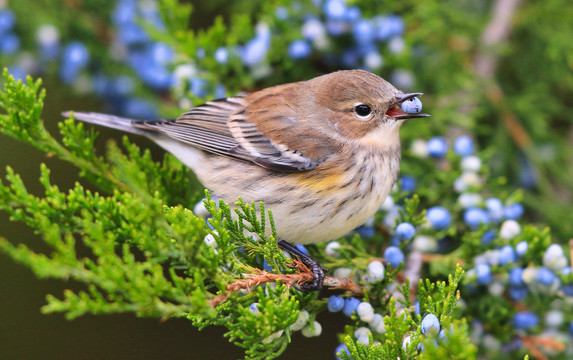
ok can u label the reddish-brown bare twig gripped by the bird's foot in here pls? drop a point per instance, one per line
(304, 276)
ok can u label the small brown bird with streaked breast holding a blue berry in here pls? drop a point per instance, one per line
(321, 154)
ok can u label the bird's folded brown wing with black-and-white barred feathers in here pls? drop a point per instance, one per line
(243, 127)
